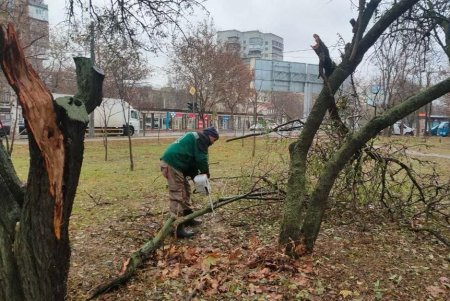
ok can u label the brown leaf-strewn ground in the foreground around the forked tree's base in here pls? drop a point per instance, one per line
(234, 256)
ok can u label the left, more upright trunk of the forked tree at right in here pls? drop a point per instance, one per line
(292, 236)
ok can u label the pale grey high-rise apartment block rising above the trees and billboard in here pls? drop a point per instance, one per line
(253, 44)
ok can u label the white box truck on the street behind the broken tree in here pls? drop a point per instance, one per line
(115, 117)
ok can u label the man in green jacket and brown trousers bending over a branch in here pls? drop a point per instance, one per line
(186, 157)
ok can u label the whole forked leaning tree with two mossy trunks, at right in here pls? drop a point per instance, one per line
(306, 203)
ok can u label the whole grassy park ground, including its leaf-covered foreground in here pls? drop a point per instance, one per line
(234, 255)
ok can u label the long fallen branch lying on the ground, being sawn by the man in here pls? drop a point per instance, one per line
(136, 259)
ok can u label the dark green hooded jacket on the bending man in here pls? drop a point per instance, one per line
(189, 154)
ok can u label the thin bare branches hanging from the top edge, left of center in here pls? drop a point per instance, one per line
(145, 23)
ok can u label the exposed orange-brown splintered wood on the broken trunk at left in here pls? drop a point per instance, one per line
(38, 109)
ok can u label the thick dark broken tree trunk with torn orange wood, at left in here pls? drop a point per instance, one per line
(34, 221)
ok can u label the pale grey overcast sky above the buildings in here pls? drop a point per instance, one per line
(293, 20)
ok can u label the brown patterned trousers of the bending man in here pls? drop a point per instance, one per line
(179, 190)
